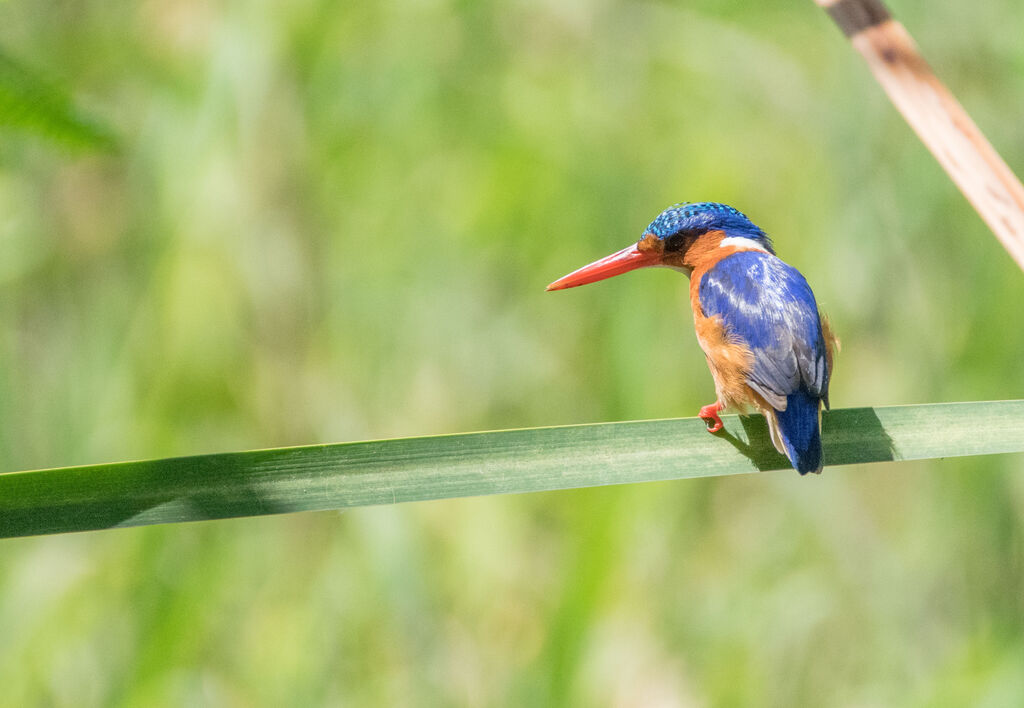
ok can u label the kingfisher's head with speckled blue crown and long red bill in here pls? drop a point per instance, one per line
(670, 241)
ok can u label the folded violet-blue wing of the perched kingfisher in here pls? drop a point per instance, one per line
(769, 307)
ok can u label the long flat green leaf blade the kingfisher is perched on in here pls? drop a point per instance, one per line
(331, 477)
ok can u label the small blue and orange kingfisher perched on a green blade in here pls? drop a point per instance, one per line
(767, 345)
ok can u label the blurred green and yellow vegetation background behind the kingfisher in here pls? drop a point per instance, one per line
(281, 224)
